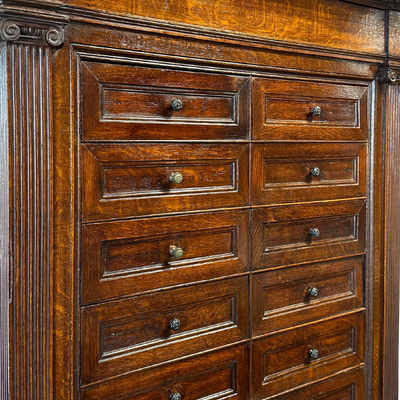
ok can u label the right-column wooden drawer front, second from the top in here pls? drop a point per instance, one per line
(294, 172)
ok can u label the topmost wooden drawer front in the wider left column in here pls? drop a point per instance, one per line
(124, 102)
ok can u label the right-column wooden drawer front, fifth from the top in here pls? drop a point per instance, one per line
(283, 361)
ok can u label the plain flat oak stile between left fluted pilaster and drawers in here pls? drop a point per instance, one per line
(65, 239)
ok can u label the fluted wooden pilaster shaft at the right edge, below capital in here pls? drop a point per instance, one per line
(390, 273)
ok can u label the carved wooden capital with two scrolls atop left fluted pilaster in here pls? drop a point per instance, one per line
(13, 30)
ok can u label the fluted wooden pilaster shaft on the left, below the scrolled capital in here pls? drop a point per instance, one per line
(31, 220)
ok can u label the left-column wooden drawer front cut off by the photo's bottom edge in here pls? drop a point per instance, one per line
(217, 375)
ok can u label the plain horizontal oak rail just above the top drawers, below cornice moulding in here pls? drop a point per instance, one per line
(188, 49)
